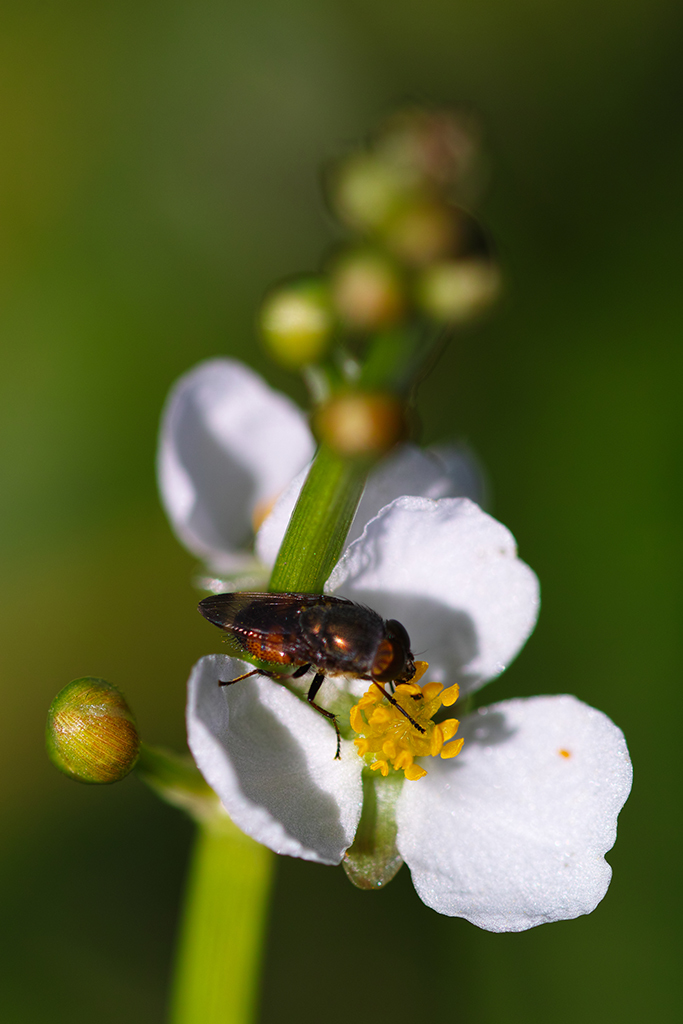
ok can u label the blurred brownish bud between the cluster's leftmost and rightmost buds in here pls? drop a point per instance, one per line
(367, 290)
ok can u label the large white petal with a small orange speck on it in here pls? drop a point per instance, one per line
(513, 833)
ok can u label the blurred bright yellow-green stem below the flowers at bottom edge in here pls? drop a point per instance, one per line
(220, 956)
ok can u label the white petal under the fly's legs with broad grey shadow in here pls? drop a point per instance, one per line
(271, 760)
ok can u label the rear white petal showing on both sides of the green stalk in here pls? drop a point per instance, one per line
(445, 473)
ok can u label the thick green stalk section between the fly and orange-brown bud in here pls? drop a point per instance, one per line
(318, 530)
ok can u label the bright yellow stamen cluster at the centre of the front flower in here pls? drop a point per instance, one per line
(392, 736)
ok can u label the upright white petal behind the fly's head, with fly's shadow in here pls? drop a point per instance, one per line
(449, 573)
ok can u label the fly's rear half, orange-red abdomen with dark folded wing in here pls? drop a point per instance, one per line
(266, 627)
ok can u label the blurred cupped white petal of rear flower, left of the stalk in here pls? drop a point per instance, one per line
(229, 445)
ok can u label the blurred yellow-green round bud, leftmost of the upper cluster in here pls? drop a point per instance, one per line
(296, 322)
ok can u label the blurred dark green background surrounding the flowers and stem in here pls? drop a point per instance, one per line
(160, 168)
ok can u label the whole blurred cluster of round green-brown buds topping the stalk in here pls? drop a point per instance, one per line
(415, 258)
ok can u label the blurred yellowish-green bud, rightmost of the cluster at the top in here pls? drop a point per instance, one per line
(456, 291)
